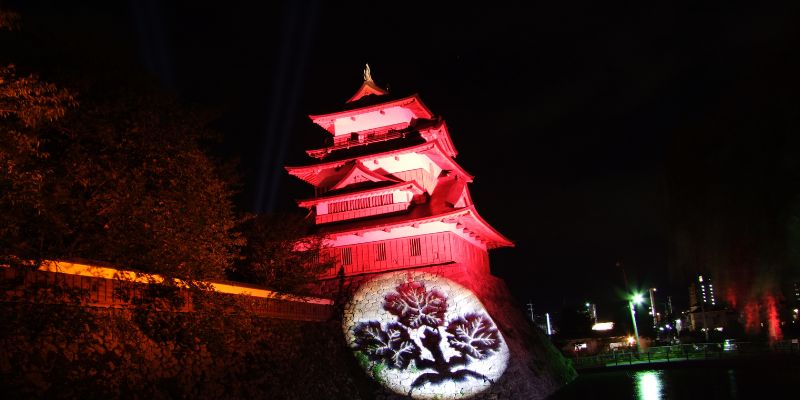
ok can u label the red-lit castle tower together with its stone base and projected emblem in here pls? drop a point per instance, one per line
(423, 314)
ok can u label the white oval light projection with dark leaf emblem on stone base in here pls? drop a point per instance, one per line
(425, 336)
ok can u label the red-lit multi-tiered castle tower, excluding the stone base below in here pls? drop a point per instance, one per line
(388, 192)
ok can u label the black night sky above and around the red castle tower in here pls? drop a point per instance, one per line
(565, 113)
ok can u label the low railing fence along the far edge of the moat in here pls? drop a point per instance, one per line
(687, 352)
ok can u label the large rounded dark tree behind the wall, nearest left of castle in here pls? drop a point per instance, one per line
(151, 197)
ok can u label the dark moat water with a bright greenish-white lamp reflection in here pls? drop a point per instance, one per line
(762, 381)
